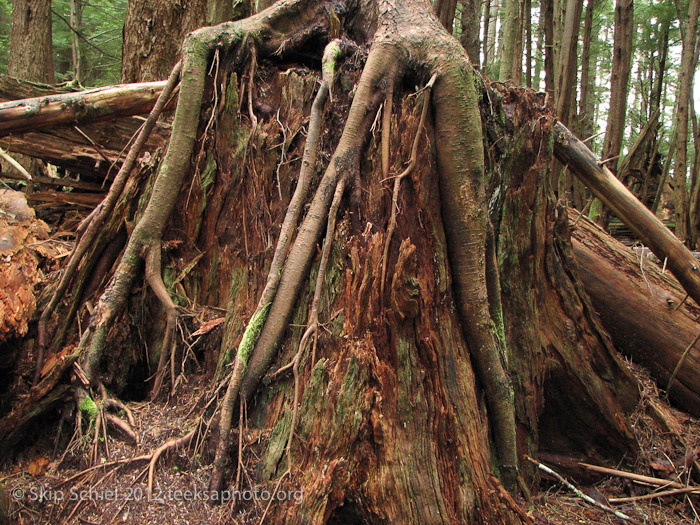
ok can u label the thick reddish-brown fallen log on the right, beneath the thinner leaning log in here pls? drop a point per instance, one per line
(639, 307)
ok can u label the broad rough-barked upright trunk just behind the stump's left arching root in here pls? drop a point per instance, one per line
(153, 34)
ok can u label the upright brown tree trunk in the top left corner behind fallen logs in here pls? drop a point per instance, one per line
(30, 53)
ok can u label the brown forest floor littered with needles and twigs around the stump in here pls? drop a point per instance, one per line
(50, 480)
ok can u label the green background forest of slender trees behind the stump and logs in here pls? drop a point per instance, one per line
(648, 78)
